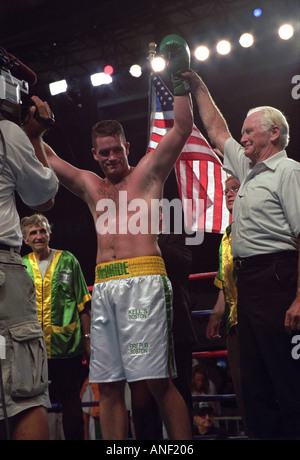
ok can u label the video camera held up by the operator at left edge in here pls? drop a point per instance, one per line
(15, 78)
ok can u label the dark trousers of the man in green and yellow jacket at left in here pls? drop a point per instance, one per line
(65, 379)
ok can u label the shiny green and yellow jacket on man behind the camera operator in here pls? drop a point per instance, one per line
(60, 297)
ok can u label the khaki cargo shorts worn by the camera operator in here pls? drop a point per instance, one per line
(23, 353)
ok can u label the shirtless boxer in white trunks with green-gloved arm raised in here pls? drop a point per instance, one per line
(138, 350)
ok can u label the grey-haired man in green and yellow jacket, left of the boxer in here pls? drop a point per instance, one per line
(62, 296)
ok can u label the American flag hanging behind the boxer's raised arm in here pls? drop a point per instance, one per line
(198, 170)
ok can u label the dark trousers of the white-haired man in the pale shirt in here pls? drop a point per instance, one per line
(270, 373)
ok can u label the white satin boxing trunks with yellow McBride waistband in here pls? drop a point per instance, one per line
(131, 337)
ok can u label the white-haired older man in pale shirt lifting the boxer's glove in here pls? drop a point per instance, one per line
(265, 246)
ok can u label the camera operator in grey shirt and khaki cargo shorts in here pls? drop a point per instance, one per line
(24, 381)
